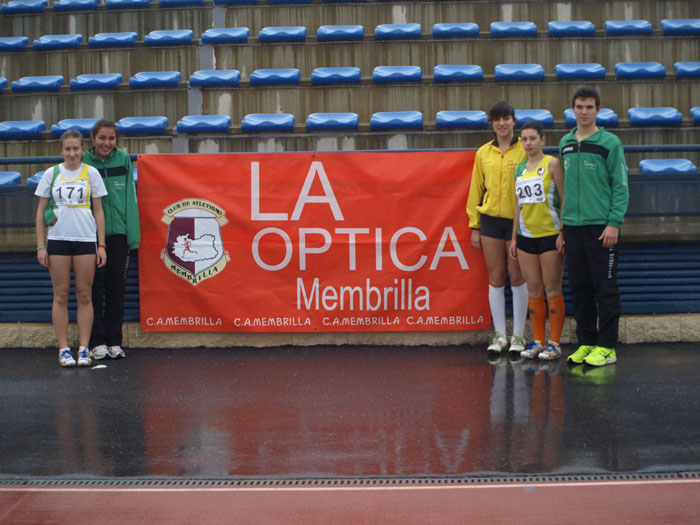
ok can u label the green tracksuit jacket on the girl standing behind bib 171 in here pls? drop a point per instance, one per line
(120, 207)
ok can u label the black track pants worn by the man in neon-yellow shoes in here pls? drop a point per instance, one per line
(592, 272)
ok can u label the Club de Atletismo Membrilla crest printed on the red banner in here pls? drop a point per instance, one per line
(194, 250)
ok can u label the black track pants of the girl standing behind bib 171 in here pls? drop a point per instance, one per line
(108, 290)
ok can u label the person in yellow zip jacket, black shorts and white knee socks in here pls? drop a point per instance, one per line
(490, 208)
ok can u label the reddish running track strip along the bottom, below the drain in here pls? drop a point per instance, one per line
(656, 501)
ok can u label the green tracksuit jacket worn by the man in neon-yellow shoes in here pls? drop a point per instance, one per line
(595, 179)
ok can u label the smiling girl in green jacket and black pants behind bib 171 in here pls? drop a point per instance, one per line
(122, 234)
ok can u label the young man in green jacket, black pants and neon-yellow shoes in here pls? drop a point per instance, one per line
(596, 194)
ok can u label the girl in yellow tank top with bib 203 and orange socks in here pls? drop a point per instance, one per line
(537, 242)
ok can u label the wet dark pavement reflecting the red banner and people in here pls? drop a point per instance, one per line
(347, 412)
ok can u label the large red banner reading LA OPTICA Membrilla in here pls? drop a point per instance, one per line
(265, 242)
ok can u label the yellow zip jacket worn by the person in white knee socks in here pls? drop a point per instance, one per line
(492, 190)
